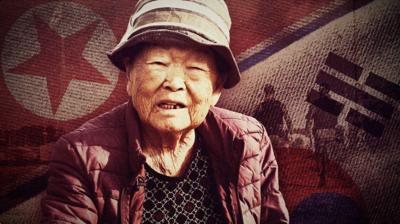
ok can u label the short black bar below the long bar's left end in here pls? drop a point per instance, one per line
(324, 103)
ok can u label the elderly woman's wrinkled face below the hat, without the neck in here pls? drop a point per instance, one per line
(173, 87)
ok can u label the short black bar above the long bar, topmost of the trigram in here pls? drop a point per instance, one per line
(344, 66)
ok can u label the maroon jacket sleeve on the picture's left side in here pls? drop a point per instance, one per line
(67, 198)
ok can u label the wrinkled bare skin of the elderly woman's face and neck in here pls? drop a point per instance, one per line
(172, 88)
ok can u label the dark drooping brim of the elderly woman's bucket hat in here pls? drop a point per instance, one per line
(118, 54)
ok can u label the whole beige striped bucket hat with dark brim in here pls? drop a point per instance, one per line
(203, 22)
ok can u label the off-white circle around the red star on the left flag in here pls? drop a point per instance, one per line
(22, 43)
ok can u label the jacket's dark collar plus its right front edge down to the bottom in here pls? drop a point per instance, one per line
(221, 143)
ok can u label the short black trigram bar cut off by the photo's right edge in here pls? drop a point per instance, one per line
(384, 86)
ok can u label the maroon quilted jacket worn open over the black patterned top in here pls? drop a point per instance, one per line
(96, 172)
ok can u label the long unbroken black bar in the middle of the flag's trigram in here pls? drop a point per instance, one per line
(358, 96)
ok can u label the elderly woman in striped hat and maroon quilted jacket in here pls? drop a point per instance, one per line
(168, 155)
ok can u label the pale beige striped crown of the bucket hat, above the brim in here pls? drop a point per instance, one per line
(209, 18)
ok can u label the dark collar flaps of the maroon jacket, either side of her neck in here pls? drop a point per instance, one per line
(217, 137)
